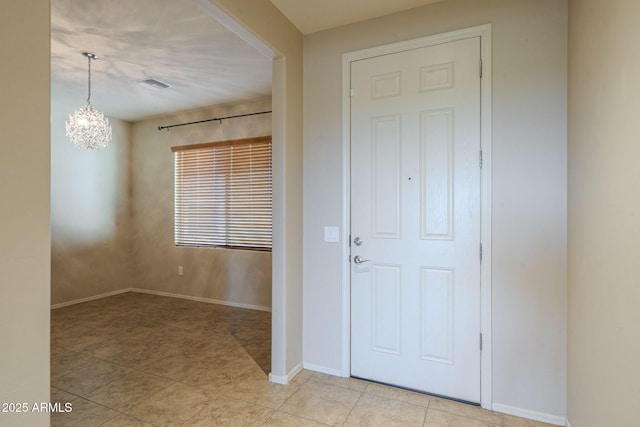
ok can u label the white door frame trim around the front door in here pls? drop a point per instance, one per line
(484, 32)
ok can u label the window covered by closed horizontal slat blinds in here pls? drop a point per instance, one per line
(223, 194)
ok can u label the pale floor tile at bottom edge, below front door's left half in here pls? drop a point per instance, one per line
(373, 410)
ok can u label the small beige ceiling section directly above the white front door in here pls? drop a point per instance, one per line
(316, 15)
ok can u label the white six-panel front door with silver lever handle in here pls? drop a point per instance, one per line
(415, 219)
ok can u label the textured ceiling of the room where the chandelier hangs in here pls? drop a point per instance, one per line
(173, 41)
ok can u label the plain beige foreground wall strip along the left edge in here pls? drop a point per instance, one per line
(24, 211)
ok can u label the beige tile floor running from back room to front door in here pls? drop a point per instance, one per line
(143, 360)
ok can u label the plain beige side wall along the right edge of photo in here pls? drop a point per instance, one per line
(604, 213)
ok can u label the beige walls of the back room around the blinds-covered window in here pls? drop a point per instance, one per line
(112, 214)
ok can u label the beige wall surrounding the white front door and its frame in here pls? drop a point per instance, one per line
(528, 189)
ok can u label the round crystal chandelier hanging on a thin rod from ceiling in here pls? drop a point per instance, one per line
(87, 127)
